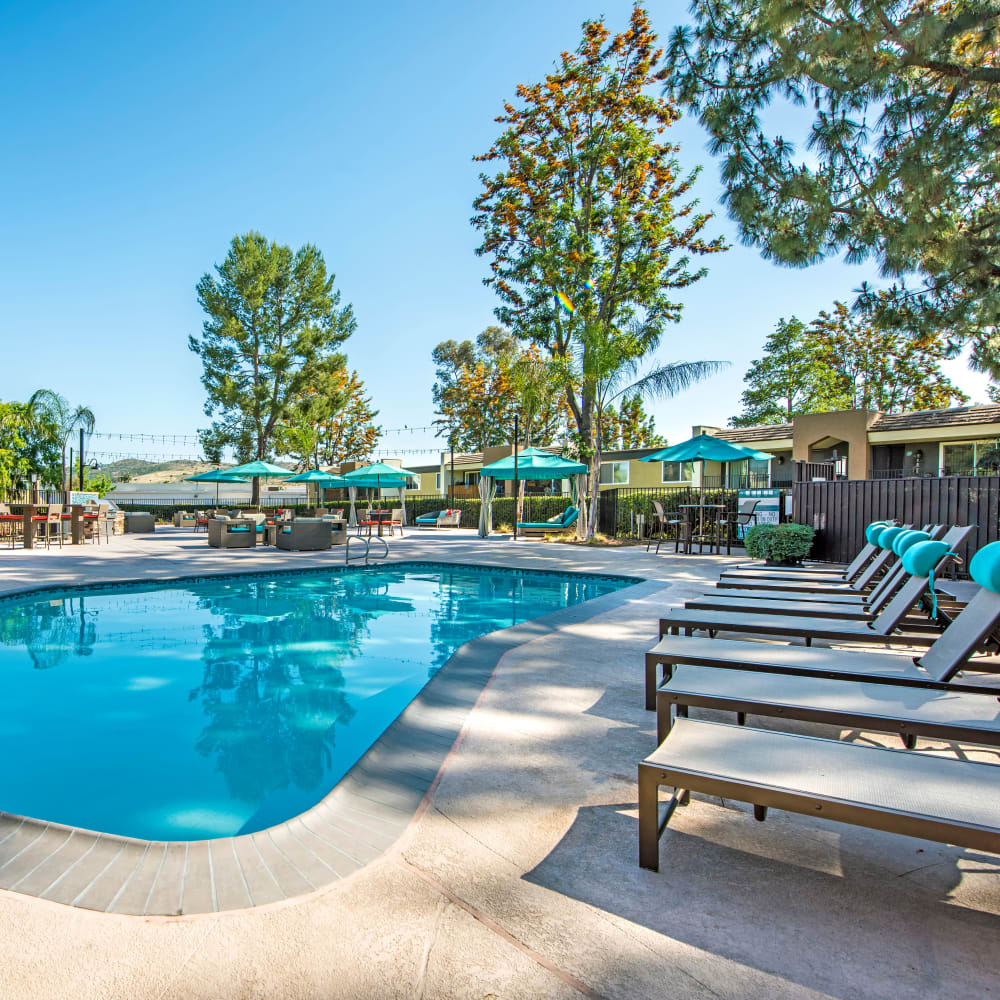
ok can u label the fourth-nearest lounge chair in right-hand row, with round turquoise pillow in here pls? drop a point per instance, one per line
(920, 561)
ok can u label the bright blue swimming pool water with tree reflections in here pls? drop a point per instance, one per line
(221, 706)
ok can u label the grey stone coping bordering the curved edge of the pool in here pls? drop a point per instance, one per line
(357, 822)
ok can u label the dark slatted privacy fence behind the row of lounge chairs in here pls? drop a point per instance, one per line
(840, 510)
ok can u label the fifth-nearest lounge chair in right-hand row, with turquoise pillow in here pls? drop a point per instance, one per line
(865, 606)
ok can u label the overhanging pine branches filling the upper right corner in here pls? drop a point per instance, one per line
(901, 160)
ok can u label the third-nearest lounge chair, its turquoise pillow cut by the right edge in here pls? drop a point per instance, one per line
(947, 656)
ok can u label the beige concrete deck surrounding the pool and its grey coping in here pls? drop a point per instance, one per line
(519, 877)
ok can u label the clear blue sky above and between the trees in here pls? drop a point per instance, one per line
(140, 138)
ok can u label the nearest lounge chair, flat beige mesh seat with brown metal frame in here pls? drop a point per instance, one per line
(941, 799)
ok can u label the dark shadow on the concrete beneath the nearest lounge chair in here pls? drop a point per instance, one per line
(822, 905)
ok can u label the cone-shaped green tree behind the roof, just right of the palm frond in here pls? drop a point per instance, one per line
(789, 378)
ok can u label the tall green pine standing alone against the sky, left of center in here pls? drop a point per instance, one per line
(273, 328)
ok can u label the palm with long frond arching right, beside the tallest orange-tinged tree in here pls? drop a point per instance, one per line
(607, 363)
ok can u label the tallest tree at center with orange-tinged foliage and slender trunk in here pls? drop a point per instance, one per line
(584, 221)
